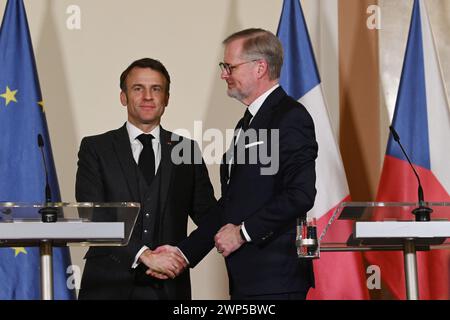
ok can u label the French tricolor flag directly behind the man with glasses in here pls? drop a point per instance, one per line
(338, 275)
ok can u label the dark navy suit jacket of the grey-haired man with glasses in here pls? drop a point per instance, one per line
(268, 204)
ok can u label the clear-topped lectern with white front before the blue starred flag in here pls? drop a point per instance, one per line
(85, 224)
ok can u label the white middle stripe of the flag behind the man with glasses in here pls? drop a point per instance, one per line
(331, 182)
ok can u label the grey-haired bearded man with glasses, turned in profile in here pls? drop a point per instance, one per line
(256, 226)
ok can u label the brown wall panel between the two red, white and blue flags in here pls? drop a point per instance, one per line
(359, 98)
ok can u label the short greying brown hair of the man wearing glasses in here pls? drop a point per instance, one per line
(261, 44)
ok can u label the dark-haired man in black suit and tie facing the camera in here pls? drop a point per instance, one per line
(135, 163)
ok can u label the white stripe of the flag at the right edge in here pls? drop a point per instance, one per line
(437, 105)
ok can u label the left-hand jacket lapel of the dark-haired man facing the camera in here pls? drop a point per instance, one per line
(123, 151)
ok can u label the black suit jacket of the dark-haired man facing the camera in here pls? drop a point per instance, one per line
(107, 172)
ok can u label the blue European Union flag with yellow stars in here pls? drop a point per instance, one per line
(22, 177)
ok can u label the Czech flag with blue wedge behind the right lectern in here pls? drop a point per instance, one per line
(422, 120)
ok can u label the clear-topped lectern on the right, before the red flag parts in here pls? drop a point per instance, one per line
(364, 226)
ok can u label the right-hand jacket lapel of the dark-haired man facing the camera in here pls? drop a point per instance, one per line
(165, 166)
